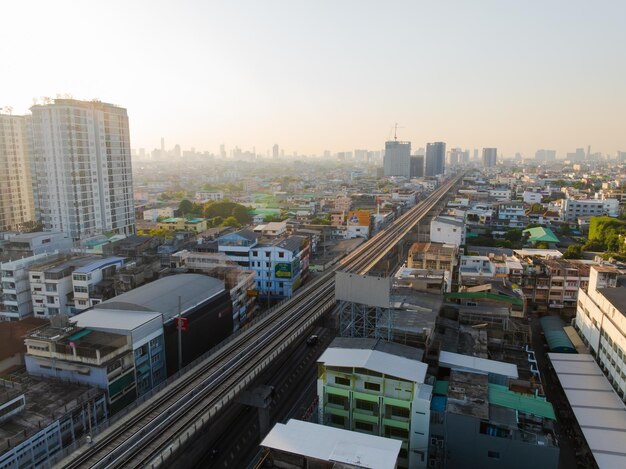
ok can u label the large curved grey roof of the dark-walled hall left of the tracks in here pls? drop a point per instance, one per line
(162, 295)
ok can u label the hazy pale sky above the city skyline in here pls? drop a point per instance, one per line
(331, 74)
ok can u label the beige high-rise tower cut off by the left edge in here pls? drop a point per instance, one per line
(16, 189)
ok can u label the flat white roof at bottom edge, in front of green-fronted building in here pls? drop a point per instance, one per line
(334, 444)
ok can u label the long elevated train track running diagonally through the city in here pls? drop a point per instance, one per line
(162, 426)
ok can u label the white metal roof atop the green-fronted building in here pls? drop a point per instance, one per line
(381, 362)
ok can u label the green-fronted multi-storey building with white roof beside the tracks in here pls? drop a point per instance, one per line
(377, 387)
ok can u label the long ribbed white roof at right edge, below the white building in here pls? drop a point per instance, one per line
(600, 412)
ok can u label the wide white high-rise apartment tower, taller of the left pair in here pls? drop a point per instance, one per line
(81, 151)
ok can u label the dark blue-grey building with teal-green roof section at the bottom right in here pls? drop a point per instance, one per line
(478, 423)
